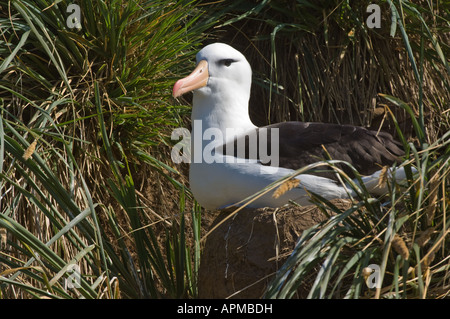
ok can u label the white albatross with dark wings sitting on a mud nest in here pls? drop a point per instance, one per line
(234, 159)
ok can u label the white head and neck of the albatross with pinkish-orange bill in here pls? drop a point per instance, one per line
(221, 86)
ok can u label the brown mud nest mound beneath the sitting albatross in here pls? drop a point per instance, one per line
(241, 255)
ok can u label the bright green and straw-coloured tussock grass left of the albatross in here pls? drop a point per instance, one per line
(83, 114)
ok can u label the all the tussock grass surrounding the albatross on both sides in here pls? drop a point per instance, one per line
(85, 119)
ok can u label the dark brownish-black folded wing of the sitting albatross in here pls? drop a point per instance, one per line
(302, 143)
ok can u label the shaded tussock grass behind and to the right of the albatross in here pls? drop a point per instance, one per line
(322, 63)
